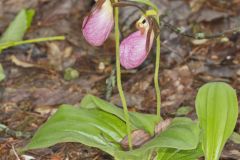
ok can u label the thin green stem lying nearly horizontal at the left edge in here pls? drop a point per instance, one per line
(12, 44)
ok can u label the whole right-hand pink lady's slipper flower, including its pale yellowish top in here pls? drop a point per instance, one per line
(135, 48)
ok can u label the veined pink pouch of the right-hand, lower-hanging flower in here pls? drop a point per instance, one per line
(133, 50)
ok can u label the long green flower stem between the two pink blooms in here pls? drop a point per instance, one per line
(119, 84)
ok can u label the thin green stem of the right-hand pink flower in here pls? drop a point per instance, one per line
(156, 80)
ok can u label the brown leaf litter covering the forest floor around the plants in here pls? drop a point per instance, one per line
(28, 96)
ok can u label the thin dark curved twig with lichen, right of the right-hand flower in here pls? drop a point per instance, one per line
(199, 35)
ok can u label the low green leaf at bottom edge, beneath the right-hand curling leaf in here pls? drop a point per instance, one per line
(176, 154)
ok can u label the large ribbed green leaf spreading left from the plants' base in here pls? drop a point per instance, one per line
(90, 127)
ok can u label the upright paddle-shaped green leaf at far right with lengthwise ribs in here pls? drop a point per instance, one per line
(217, 110)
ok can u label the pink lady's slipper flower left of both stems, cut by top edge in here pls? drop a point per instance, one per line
(99, 23)
